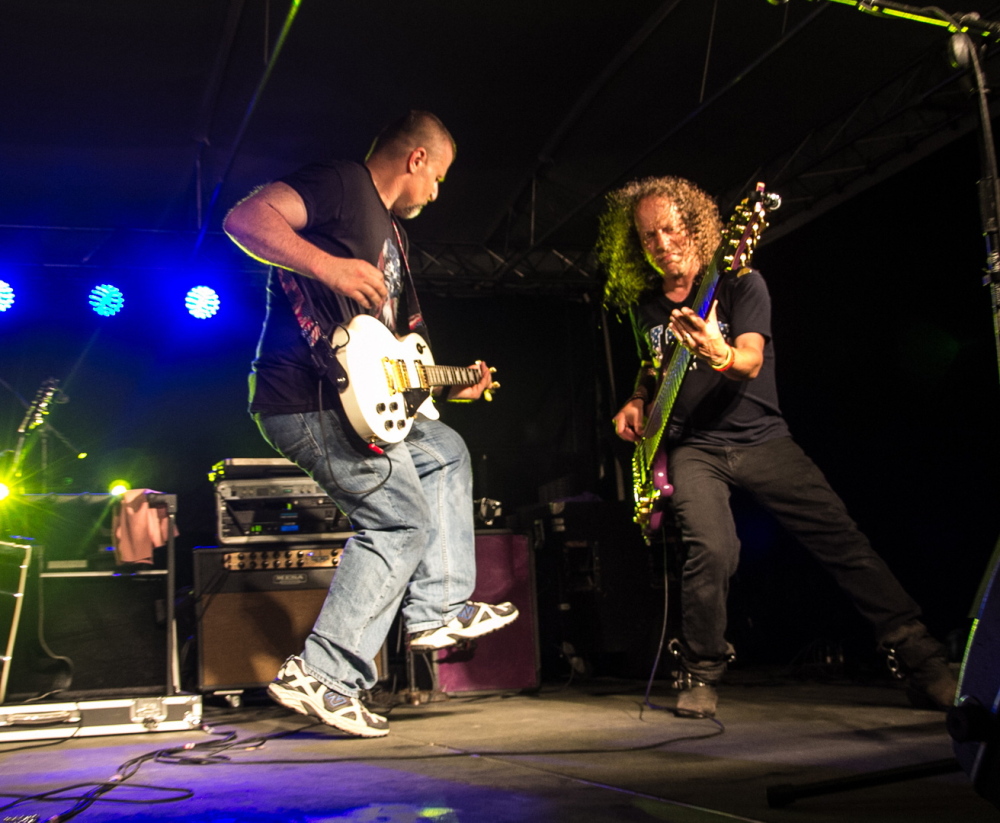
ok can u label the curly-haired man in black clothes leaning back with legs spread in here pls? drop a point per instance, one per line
(657, 238)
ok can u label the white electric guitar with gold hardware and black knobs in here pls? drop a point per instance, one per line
(389, 379)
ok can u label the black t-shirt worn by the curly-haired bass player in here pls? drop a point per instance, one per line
(711, 409)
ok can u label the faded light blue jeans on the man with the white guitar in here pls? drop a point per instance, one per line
(415, 541)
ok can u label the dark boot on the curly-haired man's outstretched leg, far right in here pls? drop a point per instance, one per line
(913, 655)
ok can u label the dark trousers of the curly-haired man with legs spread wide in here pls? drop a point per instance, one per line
(787, 483)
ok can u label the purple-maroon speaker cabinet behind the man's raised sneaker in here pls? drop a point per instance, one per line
(508, 659)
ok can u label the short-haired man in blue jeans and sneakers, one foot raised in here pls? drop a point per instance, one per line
(331, 234)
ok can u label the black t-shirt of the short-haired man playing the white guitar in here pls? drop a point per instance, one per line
(346, 218)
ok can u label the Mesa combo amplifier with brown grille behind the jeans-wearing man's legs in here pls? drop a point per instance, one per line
(255, 607)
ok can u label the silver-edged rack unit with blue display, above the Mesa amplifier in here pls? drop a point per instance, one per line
(277, 510)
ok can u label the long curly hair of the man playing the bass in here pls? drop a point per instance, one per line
(618, 247)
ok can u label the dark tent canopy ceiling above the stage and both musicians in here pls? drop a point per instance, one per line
(155, 117)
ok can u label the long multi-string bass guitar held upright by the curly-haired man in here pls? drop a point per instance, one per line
(732, 257)
